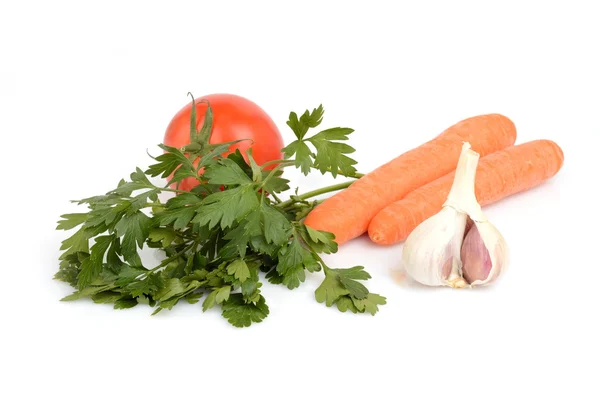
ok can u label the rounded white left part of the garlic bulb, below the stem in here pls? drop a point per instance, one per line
(431, 254)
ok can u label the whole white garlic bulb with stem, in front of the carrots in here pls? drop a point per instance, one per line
(458, 246)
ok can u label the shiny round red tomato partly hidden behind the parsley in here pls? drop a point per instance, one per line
(234, 118)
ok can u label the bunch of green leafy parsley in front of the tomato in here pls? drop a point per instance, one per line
(219, 238)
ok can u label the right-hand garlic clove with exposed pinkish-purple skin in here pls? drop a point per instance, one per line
(484, 254)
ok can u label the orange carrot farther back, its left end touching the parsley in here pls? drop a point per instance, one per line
(347, 214)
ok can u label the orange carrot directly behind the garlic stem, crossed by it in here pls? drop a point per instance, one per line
(499, 175)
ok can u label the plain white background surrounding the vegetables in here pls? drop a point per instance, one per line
(87, 87)
